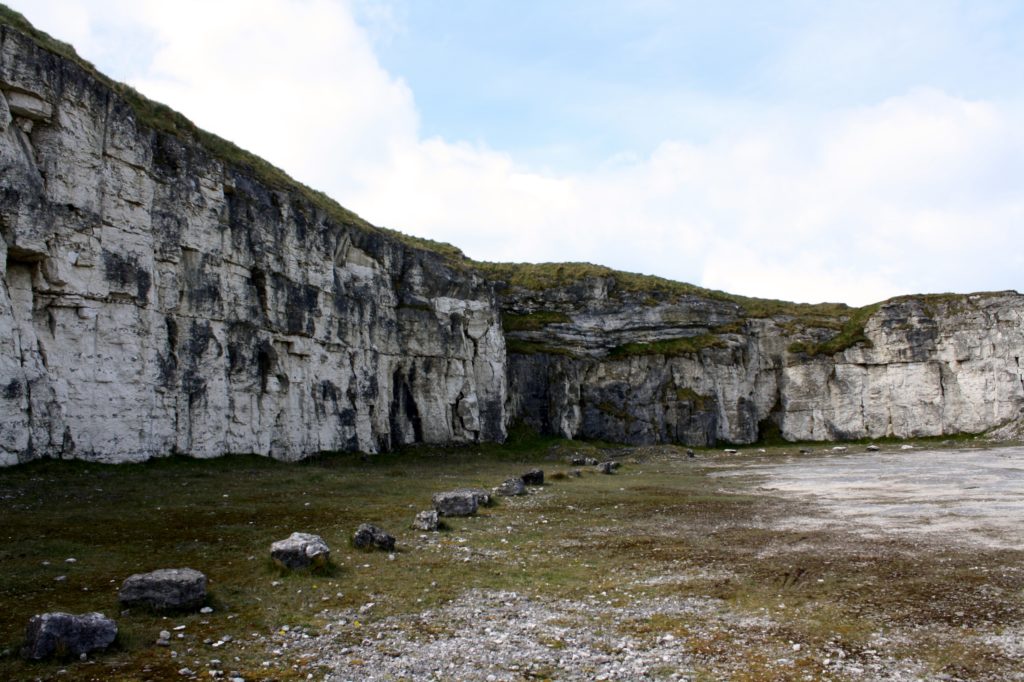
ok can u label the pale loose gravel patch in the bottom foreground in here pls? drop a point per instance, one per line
(494, 636)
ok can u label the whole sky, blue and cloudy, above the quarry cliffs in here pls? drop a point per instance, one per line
(843, 152)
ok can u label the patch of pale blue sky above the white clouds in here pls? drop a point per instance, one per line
(585, 81)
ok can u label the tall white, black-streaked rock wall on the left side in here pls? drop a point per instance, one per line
(154, 301)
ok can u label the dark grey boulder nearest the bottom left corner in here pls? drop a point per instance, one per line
(63, 635)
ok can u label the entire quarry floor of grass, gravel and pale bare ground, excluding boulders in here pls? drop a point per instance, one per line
(902, 565)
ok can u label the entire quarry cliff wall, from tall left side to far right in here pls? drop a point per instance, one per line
(156, 299)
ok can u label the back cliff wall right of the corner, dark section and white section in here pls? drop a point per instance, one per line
(598, 363)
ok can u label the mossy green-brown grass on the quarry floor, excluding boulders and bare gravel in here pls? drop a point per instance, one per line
(662, 516)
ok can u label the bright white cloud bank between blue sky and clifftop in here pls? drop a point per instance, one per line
(915, 193)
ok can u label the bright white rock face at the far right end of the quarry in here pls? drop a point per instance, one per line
(935, 369)
